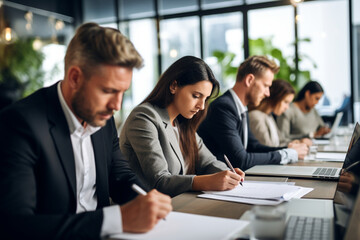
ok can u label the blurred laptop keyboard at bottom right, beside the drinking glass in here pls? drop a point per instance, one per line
(308, 228)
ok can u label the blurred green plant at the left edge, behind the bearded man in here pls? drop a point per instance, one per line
(20, 67)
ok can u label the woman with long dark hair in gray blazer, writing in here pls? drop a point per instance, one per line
(159, 136)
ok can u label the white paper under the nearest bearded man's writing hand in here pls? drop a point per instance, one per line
(180, 226)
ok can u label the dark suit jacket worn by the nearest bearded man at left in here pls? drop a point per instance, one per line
(37, 172)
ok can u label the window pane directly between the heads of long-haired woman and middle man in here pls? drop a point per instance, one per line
(223, 33)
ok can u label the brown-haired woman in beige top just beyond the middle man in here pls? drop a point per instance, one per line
(262, 123)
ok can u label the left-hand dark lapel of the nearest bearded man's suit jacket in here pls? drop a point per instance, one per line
(60, 133)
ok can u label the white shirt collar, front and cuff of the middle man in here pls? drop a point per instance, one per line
(288, 155)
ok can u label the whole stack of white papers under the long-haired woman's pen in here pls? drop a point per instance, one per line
(261, 193)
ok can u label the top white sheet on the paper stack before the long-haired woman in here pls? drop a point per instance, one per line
(259, 190)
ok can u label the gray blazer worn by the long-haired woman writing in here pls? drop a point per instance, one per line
(149, 142)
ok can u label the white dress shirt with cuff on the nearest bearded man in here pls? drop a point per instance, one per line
(86, 171)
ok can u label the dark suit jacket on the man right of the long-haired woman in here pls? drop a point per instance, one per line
(222, 133)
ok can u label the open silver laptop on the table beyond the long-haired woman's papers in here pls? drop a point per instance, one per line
(304, 171)
